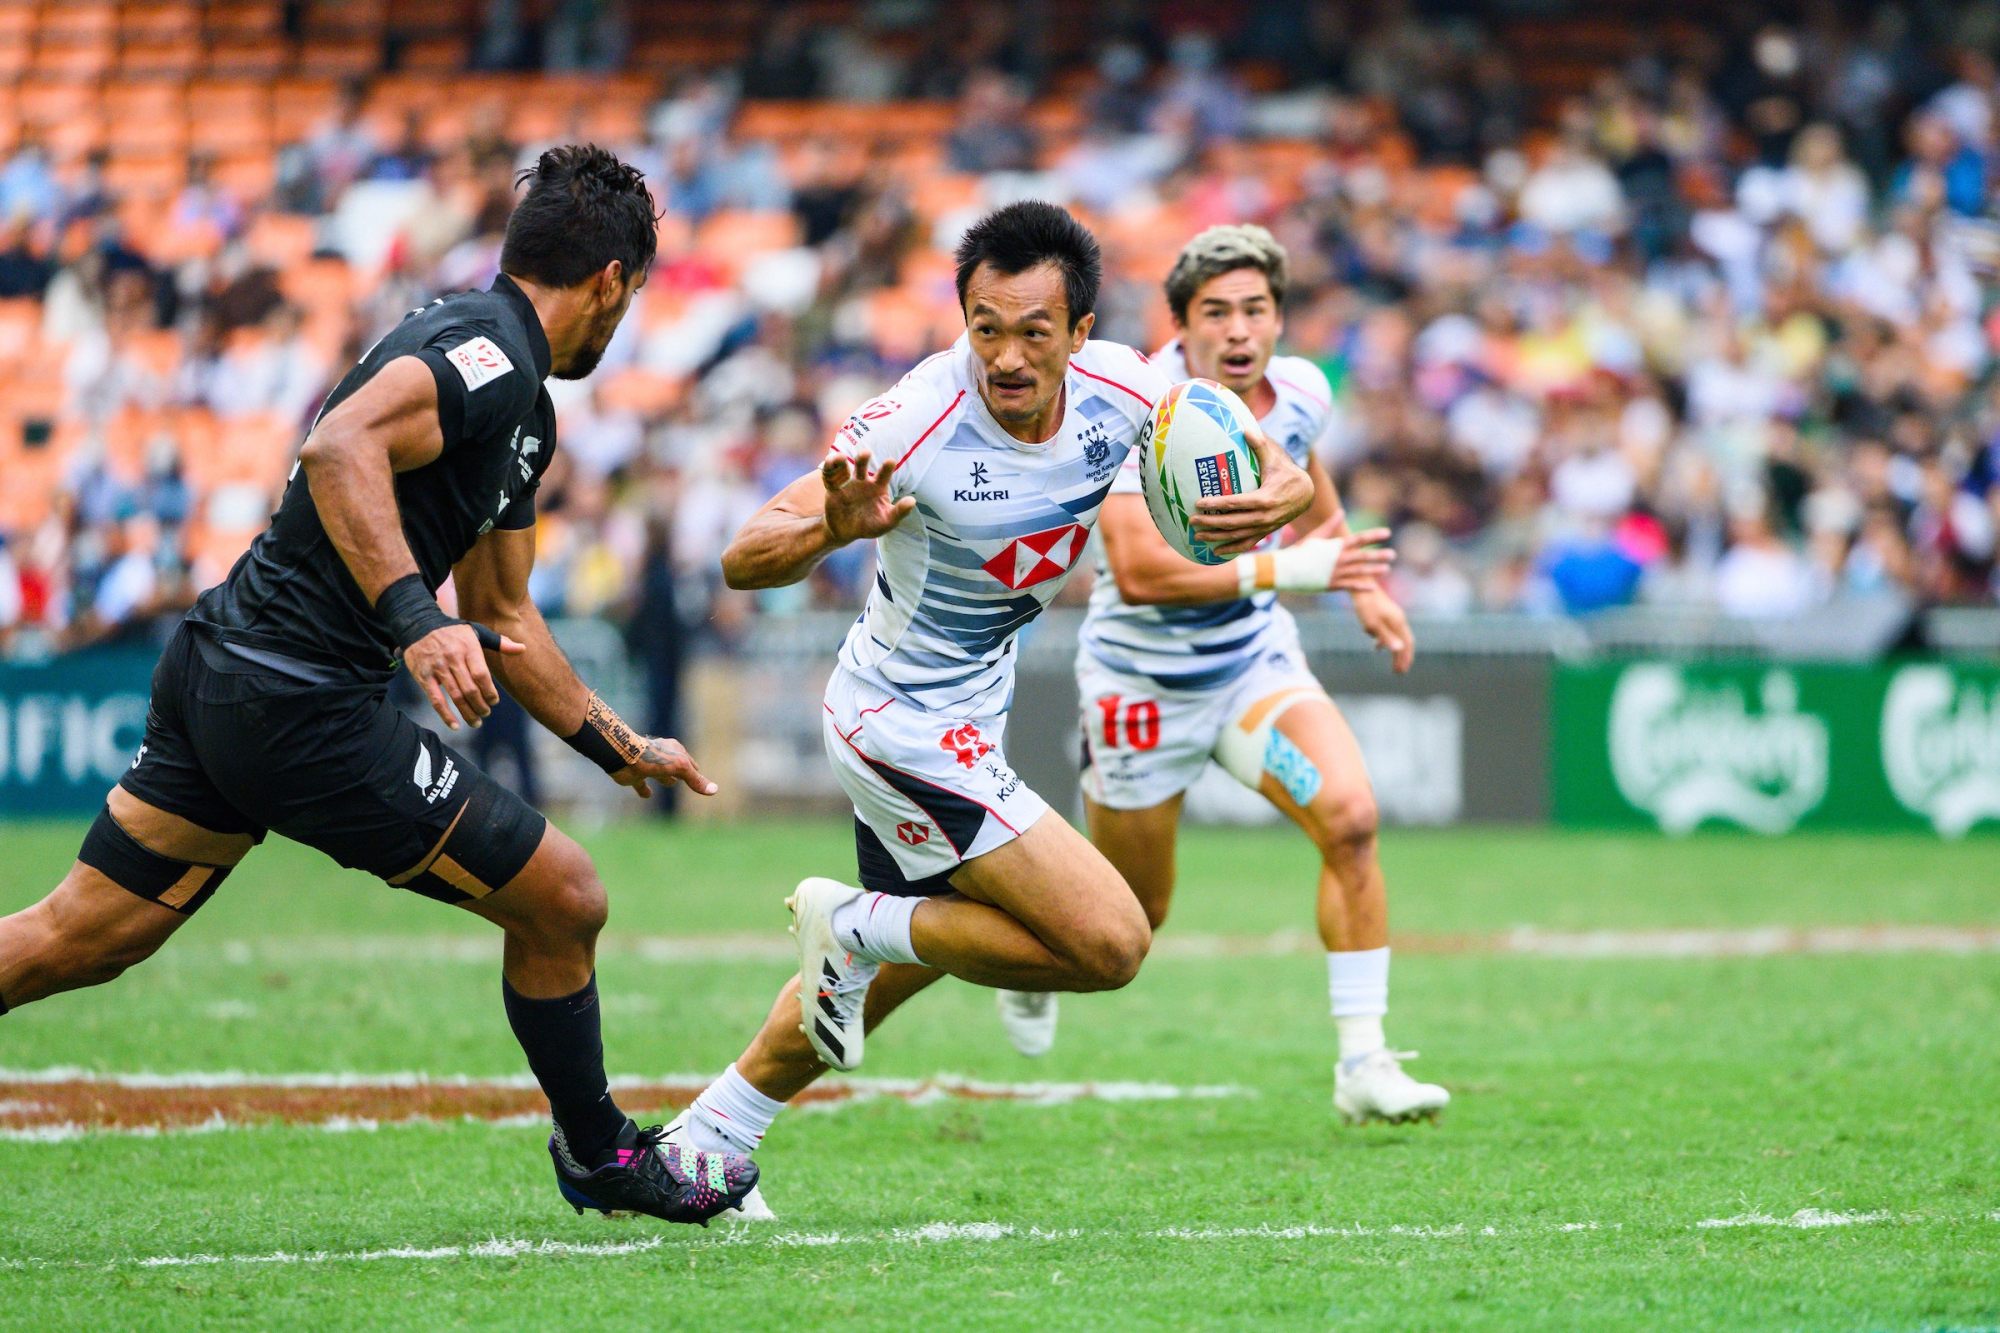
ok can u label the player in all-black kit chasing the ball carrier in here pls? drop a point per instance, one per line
(271, 704)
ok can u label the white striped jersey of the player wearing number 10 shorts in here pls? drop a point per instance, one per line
(1195, 649)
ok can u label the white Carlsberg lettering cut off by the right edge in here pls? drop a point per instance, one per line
(1941, 748)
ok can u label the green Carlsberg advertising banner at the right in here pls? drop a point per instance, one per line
(1775, 748)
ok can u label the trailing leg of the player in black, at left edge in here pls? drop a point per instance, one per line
(91, 930)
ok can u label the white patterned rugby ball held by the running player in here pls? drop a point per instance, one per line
(1195, 447)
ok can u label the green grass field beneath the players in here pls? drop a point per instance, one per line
(1795, 1142)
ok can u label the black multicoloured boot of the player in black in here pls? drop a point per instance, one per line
(643, 1172)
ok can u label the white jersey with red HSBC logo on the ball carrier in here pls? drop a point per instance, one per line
(999, 525)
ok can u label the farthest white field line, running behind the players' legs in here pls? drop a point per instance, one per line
(1521, 942)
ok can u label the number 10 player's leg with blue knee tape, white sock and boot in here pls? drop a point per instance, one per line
(1323, 786)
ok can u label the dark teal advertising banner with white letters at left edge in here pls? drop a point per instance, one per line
(69, 730)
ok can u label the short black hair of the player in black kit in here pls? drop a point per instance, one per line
(583, 211)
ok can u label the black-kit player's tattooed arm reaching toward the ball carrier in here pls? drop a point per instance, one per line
(493, 589)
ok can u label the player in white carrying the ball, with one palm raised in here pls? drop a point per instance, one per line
(995, 459)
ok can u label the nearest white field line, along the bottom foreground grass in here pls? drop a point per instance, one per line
(943, 1234)
